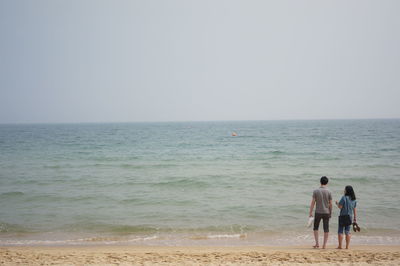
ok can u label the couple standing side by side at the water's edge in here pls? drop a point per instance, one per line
(322, 199)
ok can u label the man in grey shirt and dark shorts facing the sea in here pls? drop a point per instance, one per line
(322, 198)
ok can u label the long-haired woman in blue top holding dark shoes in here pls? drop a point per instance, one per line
(347, 206)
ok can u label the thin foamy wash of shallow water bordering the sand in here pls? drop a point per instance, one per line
(281, 239)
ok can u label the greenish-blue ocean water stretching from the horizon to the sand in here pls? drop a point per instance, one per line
(192, 183)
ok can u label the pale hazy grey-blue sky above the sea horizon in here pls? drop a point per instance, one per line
(125, 61)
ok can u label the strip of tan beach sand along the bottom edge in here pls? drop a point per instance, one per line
(148, 255)
